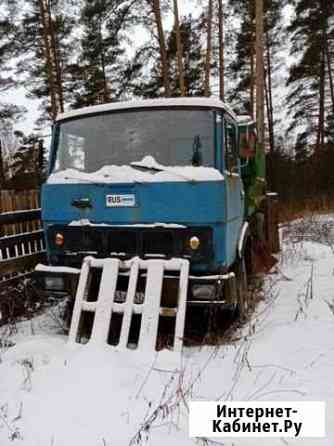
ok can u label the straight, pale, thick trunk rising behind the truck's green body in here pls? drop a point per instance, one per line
(259, 72)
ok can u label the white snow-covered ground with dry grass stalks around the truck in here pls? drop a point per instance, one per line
(51, 394)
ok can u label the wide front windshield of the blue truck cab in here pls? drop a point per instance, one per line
(172, 137)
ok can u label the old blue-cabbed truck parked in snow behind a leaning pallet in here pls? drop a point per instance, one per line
(158, 179)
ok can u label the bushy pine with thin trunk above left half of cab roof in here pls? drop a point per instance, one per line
(96, 75)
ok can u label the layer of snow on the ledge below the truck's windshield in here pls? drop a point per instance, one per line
(155, 173)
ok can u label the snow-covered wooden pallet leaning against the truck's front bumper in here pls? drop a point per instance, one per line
(150, 309)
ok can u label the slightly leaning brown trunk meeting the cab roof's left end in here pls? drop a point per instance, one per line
(48, 59)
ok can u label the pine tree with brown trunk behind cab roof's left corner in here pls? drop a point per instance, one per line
(43, 47)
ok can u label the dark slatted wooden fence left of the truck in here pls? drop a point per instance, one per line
(21, 236)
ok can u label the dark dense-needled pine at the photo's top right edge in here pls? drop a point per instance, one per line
(310, 77)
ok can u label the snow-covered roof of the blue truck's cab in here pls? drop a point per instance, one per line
(193, 102)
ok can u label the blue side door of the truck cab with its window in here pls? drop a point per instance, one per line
(234, 188)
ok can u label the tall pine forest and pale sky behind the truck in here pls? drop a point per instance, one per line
(74, 53)
